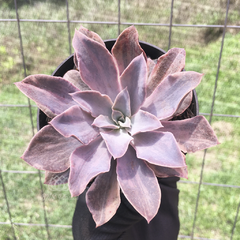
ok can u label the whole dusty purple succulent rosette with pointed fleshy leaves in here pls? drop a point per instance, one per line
(117, 131)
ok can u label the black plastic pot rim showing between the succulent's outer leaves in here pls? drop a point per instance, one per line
(151, 51)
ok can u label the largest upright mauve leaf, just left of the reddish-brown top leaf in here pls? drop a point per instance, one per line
(96, 65)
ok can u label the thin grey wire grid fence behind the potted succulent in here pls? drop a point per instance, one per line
(171, 25)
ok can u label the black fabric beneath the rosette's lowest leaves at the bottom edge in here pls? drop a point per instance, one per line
(127, 224)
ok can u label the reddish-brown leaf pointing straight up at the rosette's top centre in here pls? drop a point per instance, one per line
(126, 48)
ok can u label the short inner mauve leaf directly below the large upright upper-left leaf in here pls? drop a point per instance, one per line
(94, 102)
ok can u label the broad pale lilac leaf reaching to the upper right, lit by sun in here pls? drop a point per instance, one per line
(164, 101)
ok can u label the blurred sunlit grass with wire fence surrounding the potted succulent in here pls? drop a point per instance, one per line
(35, 37)
